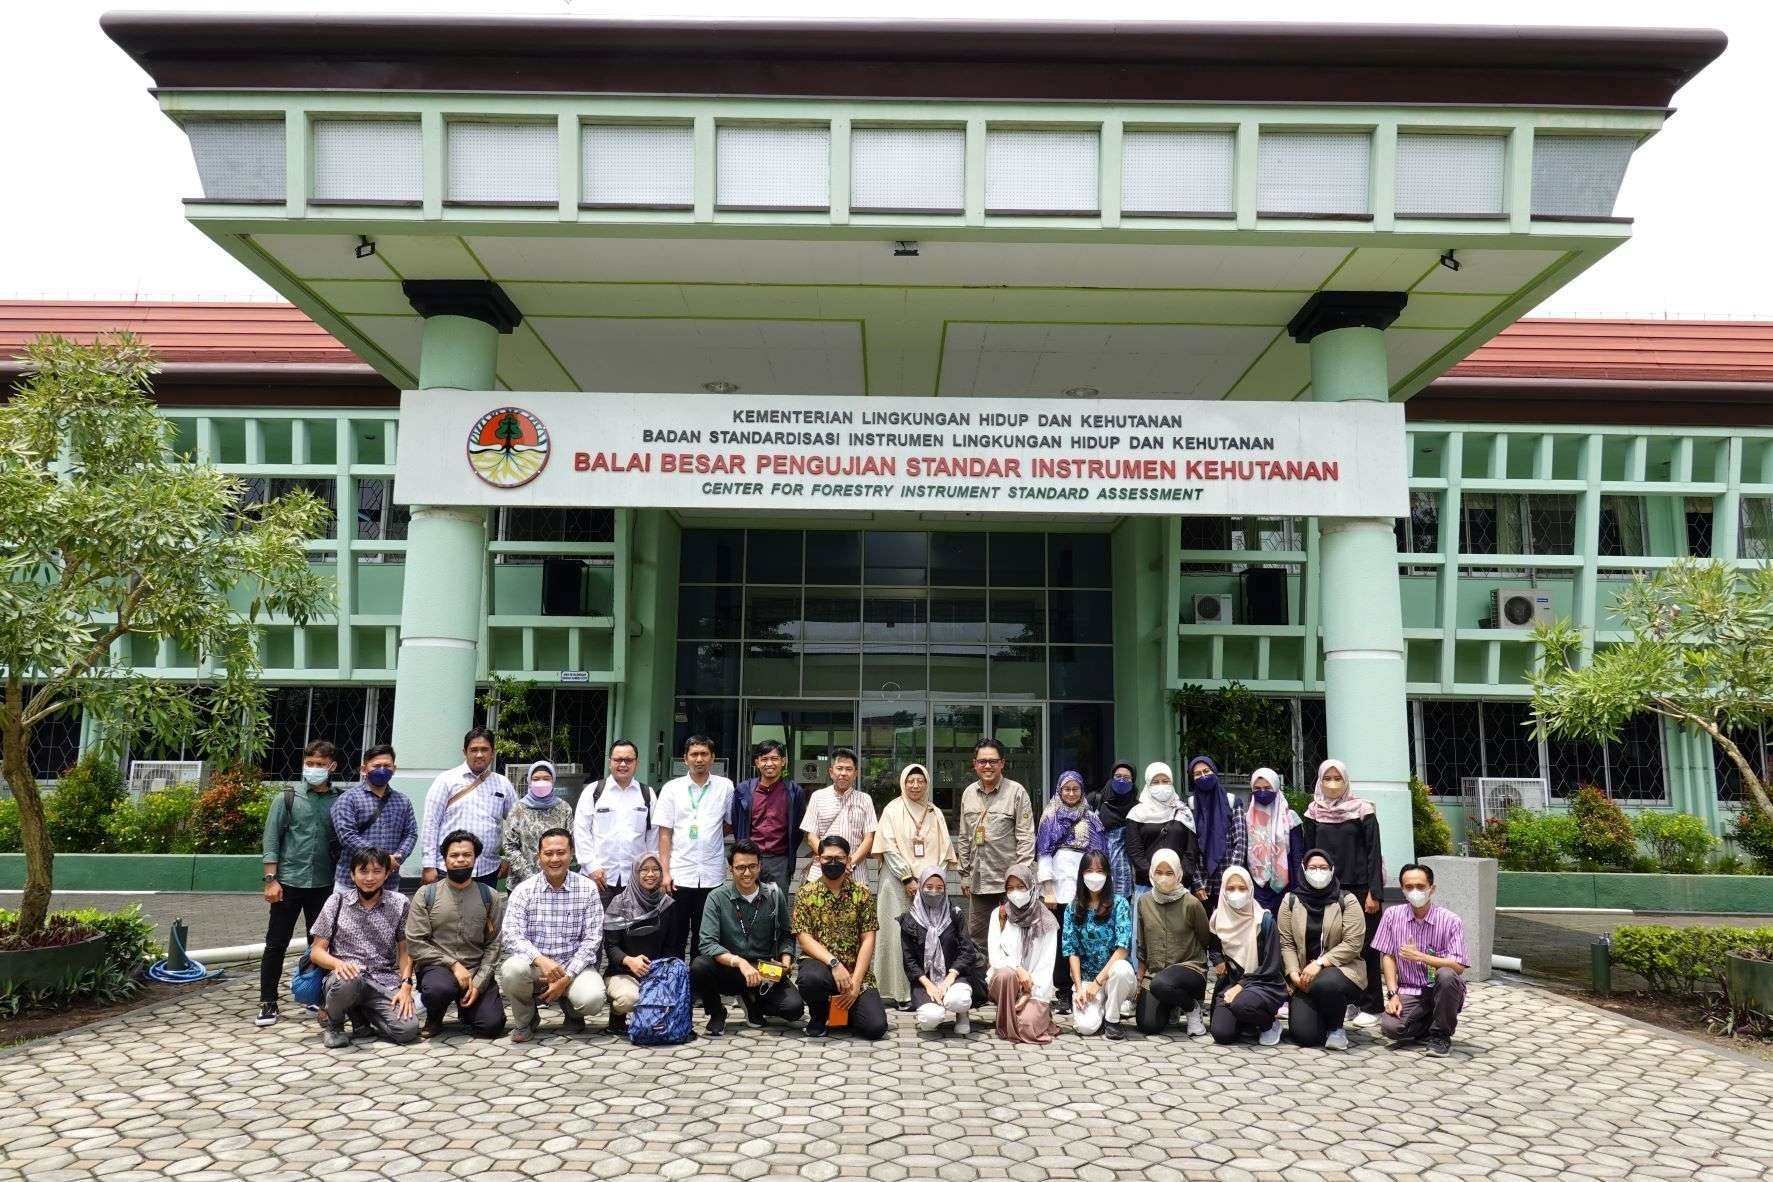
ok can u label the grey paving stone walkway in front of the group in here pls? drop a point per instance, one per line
(1538, 1087)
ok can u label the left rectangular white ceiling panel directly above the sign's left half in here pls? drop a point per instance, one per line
(668, 355)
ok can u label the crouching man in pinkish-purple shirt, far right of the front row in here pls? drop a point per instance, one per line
(1423, 956)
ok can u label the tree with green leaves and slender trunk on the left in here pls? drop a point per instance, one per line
(107, 536)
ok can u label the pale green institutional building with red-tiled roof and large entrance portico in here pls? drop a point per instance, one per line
(905, 384)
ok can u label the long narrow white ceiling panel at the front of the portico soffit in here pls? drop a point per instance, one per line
(958, 265)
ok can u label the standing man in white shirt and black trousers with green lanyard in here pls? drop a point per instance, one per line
(694, 820)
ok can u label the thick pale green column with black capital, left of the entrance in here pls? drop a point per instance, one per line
(446, 547)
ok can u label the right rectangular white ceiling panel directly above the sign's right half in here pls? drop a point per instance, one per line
(1120, 362)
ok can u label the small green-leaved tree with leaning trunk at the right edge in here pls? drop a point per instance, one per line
(1699, 651)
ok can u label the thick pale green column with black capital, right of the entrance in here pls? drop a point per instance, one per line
(1363, 607)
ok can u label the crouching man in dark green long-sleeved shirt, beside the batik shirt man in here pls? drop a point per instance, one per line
(744, 928)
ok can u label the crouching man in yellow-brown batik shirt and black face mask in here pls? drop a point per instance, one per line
(836, 924)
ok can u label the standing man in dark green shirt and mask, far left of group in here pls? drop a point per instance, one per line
(301, 850)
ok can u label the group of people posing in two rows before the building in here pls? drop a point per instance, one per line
(1146, 908)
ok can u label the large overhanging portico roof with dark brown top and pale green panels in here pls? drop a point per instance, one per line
(1123, 210)
